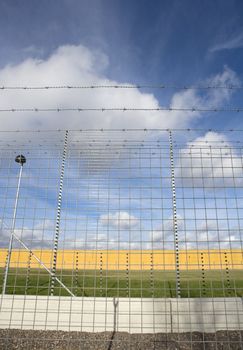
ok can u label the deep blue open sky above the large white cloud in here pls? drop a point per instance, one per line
(145, 41)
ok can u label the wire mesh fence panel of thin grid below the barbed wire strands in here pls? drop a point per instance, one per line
(133, 233)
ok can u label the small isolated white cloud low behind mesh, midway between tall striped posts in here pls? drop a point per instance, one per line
(120, 220)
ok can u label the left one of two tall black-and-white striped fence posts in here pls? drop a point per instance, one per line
(58, 216)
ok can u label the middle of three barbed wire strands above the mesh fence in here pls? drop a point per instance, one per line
(123, 109)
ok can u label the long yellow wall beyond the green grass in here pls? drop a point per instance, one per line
(125, 259)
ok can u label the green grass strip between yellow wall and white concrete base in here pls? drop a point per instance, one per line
(213, 283)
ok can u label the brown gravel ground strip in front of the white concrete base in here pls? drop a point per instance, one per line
(42, 340)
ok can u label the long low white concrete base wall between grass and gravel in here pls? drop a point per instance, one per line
(132, 315)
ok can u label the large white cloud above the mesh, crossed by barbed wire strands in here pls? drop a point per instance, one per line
(75, 65)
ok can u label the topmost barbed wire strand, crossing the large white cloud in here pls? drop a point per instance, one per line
(133, 86)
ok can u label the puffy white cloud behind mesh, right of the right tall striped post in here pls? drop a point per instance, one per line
(210, 161)
